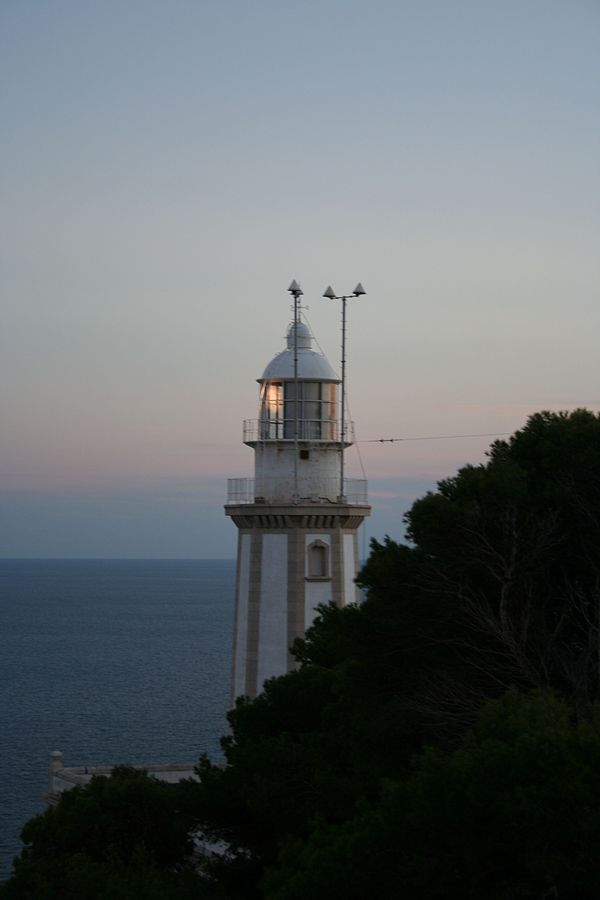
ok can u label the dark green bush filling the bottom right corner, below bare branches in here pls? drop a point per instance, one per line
(513, 814)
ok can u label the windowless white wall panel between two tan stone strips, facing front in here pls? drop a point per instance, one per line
(272, 626)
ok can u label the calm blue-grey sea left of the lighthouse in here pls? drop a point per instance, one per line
(110, 661)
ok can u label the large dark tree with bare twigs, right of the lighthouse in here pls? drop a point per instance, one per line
(508, 553)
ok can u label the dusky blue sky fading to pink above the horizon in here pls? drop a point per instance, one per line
(168, 168)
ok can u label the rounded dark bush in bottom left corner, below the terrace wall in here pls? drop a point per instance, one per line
(118, 837)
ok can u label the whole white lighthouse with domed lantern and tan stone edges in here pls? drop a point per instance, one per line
(298, 517)
